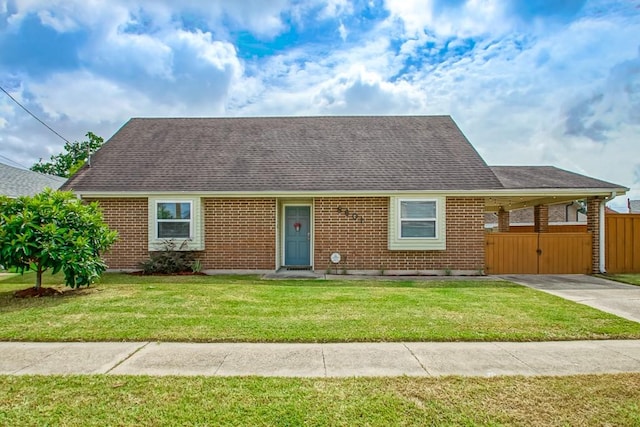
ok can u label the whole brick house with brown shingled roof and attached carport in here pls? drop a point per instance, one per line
(399, 194)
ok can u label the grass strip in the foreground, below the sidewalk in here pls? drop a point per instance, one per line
(590, 400)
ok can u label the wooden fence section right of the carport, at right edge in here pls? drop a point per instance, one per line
(622, 243)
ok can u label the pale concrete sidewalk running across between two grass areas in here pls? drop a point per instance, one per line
(322, 360)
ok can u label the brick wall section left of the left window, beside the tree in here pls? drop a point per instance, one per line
(129, 217)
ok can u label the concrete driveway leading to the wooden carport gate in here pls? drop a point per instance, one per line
(606, 295)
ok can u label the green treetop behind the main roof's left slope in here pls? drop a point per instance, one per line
(74, 156)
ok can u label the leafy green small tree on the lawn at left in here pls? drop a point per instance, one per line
(54, 230)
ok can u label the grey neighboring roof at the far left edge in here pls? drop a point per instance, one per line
(16, 182)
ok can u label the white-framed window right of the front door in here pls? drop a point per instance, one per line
(418, 219)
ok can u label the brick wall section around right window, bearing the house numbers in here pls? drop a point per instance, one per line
(363, 246)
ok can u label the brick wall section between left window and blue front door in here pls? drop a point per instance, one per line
(239, 234)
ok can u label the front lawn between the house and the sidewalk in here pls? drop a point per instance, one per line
(247, 309)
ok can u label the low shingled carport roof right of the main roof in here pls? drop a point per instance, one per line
(525, 177)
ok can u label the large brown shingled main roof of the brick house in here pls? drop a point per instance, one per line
(287, 154)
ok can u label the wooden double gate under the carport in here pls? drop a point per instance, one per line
(538, 253)
